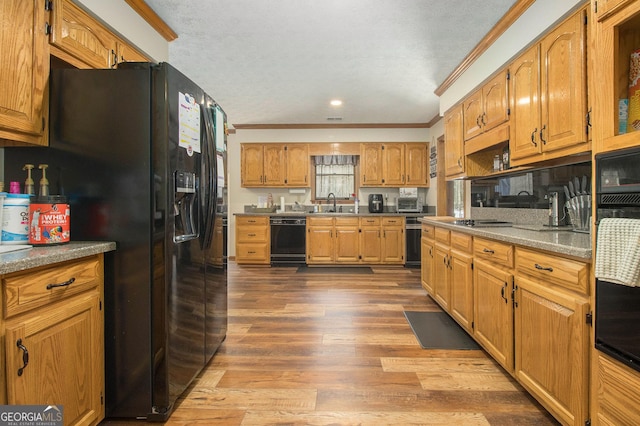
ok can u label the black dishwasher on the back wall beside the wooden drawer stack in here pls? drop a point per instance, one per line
(288, 240)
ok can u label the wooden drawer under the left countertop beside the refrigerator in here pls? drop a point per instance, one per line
(30, 289)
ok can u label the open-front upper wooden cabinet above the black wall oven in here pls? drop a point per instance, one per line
(617, 37)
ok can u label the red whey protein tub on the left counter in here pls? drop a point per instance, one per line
(49, 218)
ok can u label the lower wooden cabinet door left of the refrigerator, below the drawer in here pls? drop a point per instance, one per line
(65, 362)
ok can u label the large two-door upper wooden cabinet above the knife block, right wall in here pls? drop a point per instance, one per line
(548, 96)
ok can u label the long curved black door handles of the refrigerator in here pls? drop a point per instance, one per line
(208, 159)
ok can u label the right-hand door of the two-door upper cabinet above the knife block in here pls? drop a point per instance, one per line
(563, 85)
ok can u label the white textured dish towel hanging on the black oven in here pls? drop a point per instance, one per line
(618, 251)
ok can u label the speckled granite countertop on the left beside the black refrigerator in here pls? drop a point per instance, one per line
(21, 260)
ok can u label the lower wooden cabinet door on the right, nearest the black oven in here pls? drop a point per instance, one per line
(552, 348)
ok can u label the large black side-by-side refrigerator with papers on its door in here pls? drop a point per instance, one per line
(140, 154)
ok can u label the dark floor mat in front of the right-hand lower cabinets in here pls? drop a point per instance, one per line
(437, 330)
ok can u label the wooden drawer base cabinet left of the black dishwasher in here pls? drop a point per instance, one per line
(253, 240)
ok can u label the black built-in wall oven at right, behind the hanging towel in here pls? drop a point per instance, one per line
(617, 306)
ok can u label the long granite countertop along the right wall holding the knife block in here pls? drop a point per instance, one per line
(564, 242)
